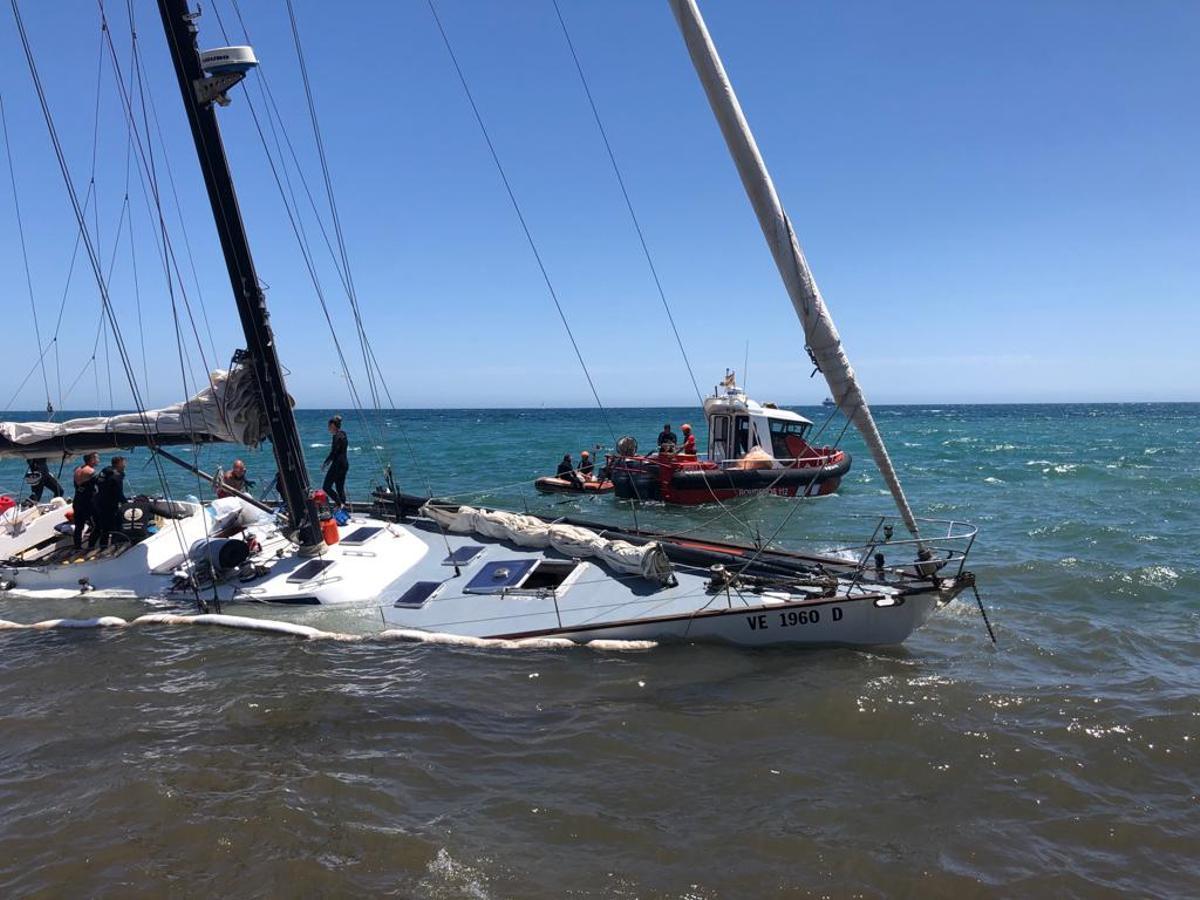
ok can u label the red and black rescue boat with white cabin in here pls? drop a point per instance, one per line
(753, 448)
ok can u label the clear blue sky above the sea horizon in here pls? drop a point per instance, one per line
(1001, 202)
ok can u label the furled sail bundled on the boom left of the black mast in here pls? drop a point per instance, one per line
(229, 411)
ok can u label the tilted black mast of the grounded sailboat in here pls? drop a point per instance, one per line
(181, 28)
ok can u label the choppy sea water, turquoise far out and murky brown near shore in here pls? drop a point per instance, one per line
(1061, 763)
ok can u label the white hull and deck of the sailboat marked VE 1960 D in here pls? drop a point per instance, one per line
(381, 572)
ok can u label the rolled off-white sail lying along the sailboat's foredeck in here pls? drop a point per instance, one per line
(650, 560)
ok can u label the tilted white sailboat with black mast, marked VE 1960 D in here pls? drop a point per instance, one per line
(435, 568)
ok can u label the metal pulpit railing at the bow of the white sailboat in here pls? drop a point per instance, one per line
(947, 543)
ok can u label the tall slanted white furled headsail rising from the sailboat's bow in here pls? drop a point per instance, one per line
(820, 333)
